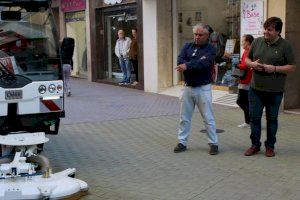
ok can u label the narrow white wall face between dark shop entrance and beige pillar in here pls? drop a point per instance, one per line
(150, 46)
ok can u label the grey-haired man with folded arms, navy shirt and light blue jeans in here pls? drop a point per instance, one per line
(196, 60)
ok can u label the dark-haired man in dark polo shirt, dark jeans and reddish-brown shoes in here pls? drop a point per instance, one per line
(271, 58)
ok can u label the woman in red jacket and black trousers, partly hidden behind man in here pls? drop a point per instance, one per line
(244, 83)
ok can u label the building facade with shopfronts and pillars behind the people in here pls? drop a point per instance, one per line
(163, 28)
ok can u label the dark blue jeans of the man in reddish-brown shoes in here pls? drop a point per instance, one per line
(257, 101)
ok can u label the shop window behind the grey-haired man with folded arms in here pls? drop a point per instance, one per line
(224, 17)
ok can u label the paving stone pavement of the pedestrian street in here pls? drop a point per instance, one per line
(121, 143)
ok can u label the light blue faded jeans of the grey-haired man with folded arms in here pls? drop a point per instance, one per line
(202, 97)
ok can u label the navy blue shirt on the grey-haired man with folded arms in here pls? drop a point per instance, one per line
(199, 61)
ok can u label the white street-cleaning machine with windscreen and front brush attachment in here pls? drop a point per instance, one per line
(31, 103)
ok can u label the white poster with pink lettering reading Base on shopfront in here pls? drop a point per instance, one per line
(252, 17)
